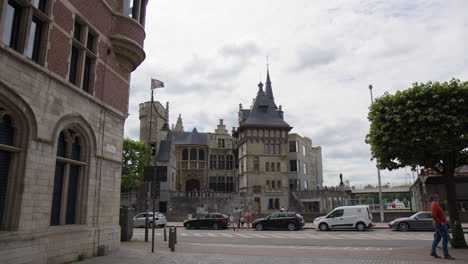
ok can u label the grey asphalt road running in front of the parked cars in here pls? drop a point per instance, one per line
(378, 239)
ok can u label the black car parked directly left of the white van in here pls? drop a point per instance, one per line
(282, 220)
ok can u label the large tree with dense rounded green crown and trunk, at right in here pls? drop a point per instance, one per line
(425, 125)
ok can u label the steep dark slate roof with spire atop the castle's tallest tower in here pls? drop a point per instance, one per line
(264, 111)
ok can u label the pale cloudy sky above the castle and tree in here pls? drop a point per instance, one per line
(322, 56)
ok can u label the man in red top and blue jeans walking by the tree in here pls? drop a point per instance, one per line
(440, 228)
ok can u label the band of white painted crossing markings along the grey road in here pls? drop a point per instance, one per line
(369, 235)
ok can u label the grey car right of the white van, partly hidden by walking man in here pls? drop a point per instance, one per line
(419, 221)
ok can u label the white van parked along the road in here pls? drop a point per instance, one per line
(357, 216)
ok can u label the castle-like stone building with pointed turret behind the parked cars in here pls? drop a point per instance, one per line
(256, 166)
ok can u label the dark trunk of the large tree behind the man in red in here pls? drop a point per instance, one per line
(458, 238)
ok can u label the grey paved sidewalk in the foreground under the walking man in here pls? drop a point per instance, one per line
(204, 253)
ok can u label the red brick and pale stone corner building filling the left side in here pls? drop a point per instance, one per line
(64, 87)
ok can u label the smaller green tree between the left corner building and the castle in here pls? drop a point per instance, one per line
(134, 160)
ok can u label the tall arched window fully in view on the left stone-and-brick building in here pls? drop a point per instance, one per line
(68, 180)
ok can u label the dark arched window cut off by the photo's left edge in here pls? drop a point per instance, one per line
(6, 153)
